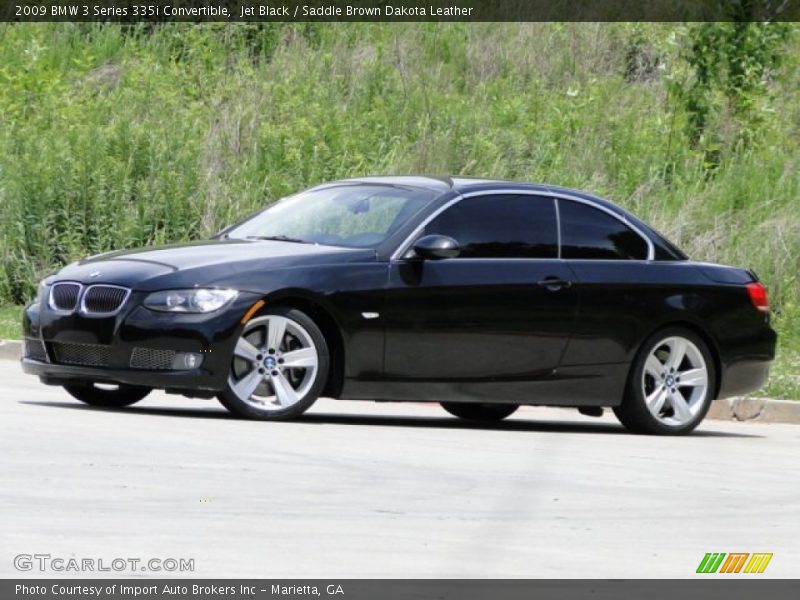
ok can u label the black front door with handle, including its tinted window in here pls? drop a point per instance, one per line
(495, 318)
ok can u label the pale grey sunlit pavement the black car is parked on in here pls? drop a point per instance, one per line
(386, 490)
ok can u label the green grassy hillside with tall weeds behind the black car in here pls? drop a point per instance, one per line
(117, 136)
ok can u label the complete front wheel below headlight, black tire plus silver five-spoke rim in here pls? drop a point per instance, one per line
(262, 383)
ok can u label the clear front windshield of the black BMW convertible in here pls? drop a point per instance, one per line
(355, 216)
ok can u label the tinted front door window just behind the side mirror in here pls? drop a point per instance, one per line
(506, 226)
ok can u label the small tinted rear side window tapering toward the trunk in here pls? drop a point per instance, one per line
(589, 233)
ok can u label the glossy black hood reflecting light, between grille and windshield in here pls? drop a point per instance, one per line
(203, 263)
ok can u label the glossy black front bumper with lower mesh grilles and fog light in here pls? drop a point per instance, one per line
(68, 348)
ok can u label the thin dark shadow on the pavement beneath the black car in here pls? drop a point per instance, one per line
(421, 422)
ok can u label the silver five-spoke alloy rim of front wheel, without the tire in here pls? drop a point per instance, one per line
(275, 363)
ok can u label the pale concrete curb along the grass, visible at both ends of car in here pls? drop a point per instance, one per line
(758, 410)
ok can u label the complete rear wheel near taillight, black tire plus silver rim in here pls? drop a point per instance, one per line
(671, 384)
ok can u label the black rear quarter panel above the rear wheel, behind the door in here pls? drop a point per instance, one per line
(622, 303)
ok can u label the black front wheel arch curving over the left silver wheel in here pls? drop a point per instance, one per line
(316, 309)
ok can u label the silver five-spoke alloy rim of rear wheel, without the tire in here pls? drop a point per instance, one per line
(675, 381)
